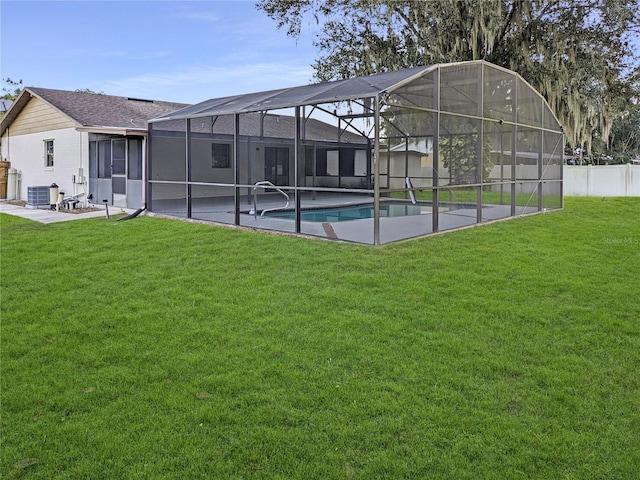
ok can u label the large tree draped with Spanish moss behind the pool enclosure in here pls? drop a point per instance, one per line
(577, 53)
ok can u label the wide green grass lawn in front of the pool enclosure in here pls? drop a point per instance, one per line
(158, 349)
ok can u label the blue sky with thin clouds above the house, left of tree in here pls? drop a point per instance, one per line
(180, 51)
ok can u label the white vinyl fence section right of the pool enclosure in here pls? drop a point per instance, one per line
(602, 180)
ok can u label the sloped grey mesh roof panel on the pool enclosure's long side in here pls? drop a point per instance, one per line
(314, 94)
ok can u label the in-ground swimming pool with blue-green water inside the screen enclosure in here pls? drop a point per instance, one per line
(352, 212)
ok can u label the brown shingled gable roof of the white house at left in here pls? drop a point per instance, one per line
(94, 110)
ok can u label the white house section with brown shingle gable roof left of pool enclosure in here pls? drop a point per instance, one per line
(88, 144)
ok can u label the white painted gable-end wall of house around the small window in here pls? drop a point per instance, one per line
(26, 152)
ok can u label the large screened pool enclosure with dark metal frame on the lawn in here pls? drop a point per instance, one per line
(371, 160)
